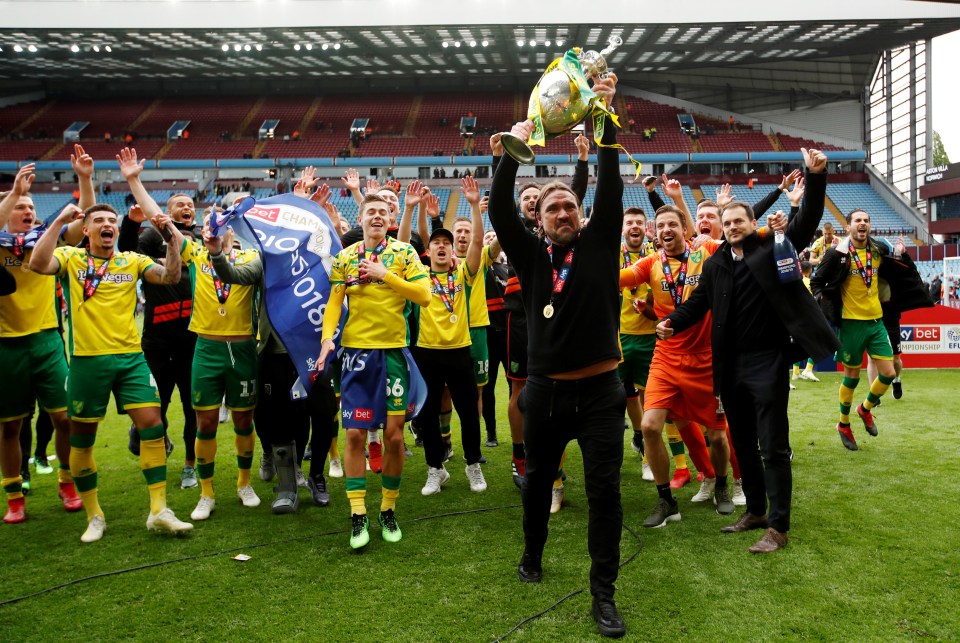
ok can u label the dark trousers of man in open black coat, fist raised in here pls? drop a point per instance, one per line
(755, 392)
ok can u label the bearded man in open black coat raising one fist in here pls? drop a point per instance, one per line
(760, 327)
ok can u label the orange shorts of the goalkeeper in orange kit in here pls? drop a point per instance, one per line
(683, 383)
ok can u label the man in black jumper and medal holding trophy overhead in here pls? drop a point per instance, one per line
(569, 285)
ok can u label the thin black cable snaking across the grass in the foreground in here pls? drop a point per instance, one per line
(118, 572)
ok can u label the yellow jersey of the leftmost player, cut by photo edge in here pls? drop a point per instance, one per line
(33, 307)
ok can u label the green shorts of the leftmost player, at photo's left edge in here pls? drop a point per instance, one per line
(35, 368)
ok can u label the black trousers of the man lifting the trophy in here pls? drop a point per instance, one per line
(589, 411)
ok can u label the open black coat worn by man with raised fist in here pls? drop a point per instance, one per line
(810, 334)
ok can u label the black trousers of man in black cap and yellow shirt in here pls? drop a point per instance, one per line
(452, 368)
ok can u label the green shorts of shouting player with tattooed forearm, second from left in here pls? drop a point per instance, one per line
(93, 377)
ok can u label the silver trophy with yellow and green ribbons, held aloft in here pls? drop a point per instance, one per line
(557, 104)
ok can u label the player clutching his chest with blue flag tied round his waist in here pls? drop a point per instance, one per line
(377, 276)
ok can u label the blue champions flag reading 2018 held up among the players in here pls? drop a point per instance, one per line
(297, 245)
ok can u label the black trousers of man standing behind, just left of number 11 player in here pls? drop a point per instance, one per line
(171, 366)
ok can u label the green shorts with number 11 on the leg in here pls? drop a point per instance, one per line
(224, 369)
